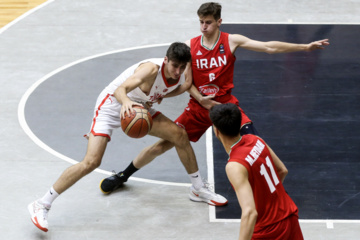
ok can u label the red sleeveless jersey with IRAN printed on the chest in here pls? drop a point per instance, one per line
(213, 69)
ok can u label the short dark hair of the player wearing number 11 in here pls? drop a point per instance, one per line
(226, 118)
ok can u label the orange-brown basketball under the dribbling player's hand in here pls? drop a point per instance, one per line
(138, 124)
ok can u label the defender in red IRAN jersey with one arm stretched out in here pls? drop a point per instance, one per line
(213, 61)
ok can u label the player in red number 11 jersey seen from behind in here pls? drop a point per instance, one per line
(267, 210)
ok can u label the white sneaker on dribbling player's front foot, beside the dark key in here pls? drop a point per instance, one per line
(205, 195)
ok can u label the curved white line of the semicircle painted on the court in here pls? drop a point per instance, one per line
(35, 139)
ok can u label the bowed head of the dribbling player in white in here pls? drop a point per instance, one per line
(176, 59)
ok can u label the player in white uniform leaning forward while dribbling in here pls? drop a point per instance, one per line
(142, 84)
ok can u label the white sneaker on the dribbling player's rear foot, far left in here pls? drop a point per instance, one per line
(39, 212)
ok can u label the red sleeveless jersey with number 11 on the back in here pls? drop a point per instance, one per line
(273, 204)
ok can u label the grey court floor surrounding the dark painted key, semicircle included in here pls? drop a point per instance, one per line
(49, 79)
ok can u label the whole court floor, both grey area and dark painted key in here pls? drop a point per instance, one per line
(57, 58)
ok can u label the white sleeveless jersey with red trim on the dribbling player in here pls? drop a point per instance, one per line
(159, 89)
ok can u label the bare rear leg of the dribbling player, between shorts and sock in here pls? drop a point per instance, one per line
(95, 151)
